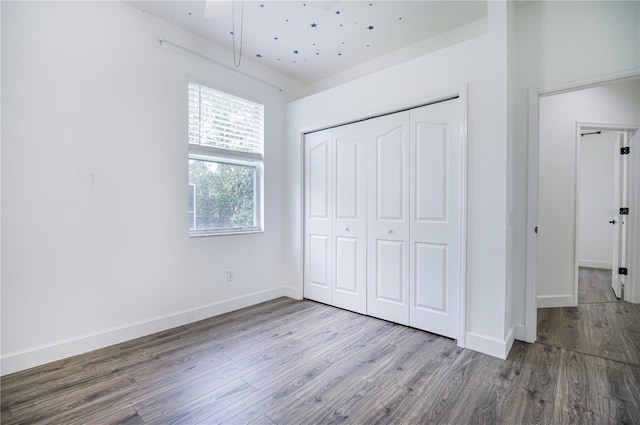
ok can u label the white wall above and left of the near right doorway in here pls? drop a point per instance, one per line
(560, 43)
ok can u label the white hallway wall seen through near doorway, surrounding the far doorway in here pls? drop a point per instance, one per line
(615, 103)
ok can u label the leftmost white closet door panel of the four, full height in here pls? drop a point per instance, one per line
(318, 267)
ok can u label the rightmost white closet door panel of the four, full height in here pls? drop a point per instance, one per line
(436, 152)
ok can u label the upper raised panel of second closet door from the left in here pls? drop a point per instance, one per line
(347, 182)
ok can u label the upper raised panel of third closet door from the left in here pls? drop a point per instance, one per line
(390, 175)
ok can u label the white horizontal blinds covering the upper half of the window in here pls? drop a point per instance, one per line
(222, 121)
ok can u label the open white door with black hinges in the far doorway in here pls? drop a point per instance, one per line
(619, 220)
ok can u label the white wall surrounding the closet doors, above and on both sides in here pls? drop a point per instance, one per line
(480, 63)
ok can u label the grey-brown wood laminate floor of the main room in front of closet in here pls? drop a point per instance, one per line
(300, 362)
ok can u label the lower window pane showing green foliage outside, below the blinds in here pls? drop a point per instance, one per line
(224, 195)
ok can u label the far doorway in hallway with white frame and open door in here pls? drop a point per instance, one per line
(602, 228)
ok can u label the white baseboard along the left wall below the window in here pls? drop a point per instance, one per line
(17, 361)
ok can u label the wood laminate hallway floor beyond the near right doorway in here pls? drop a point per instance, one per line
(601, 325)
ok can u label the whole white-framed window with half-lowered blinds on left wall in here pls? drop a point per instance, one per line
(226, 145)
